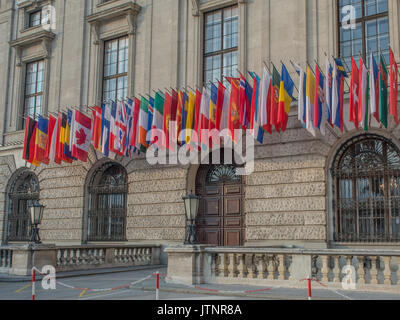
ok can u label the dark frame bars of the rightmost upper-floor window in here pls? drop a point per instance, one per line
(363, 20)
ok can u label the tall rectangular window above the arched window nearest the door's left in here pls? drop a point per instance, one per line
(115, 84)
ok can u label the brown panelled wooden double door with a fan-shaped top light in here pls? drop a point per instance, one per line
(220, 220)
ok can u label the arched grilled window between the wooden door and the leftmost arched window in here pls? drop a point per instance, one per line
(107, 204)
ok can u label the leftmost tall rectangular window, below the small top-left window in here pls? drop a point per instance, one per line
(34, 82)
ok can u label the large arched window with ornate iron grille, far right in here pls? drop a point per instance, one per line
(366, 177)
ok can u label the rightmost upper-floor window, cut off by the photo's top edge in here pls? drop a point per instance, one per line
(371, 32)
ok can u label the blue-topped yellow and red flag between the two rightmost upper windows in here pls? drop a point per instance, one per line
(285, 98)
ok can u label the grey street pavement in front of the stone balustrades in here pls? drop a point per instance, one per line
(140, 285)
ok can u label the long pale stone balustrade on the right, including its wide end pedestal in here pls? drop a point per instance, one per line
(285, 267)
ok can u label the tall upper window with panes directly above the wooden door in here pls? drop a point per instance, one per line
(220, 45)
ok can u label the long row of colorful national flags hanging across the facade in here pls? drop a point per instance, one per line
(260, 105)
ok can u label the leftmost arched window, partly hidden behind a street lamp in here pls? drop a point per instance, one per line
(24, 190)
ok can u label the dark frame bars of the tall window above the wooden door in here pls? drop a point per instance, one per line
(222, 51)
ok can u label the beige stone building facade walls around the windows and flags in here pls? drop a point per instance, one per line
(288, 200)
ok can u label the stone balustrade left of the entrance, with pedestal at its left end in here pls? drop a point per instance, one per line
(19, 259)
